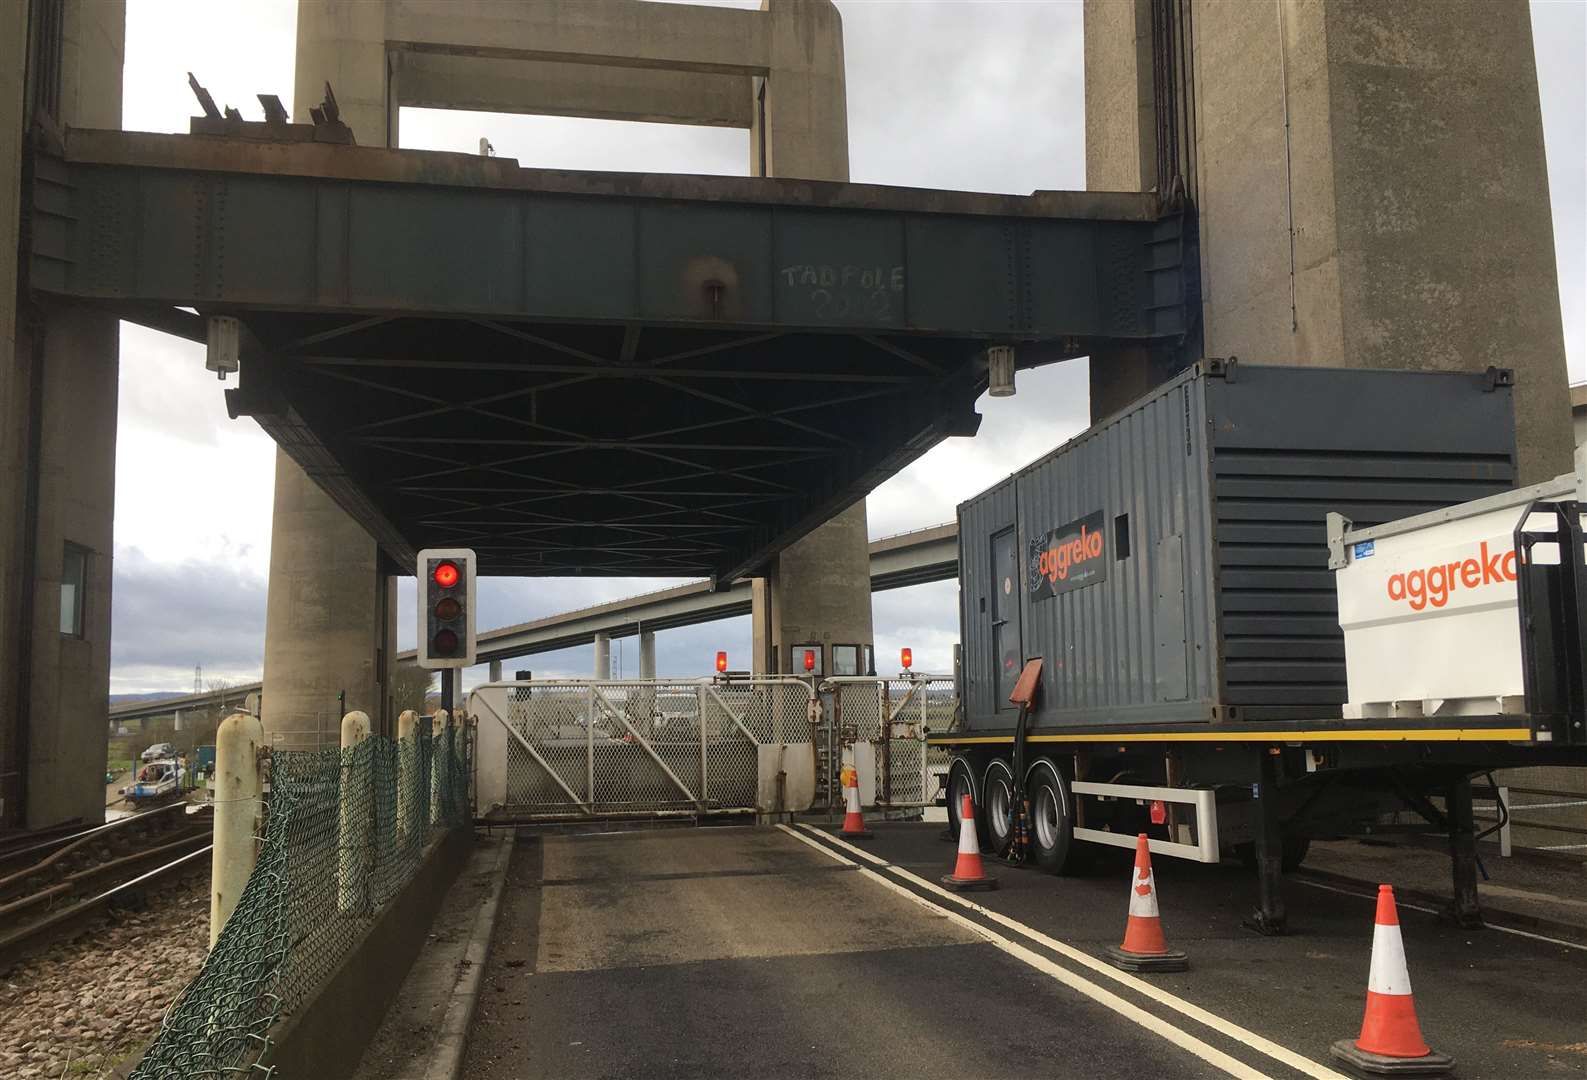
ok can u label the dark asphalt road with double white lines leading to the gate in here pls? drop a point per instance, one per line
(780, 954)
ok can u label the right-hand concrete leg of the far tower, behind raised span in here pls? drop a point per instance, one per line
(820, 589)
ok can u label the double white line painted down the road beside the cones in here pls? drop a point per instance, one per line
(1070, 978)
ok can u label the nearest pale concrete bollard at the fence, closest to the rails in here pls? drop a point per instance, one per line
(239, 808)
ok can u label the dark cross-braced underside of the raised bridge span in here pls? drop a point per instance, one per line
(602, 450)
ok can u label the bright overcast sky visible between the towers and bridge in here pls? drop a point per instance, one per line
(961, 96)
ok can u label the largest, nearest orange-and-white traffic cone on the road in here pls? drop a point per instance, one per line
(1391, 1043)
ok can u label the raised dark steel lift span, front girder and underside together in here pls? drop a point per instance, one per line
(599, 373)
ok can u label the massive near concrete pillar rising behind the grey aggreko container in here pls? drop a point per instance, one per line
(1372, 190)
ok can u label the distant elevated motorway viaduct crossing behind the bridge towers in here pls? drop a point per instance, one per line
(909, 559)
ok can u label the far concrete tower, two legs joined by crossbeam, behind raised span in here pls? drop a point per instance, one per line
(777, 74)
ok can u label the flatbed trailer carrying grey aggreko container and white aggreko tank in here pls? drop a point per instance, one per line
(1182, 572)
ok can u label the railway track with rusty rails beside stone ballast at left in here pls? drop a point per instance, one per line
(55, 887)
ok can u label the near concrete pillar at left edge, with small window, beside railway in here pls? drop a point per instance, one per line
(58, 451)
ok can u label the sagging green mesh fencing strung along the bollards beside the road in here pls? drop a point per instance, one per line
(326, 868)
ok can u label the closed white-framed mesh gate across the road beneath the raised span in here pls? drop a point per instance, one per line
(610, 748)
